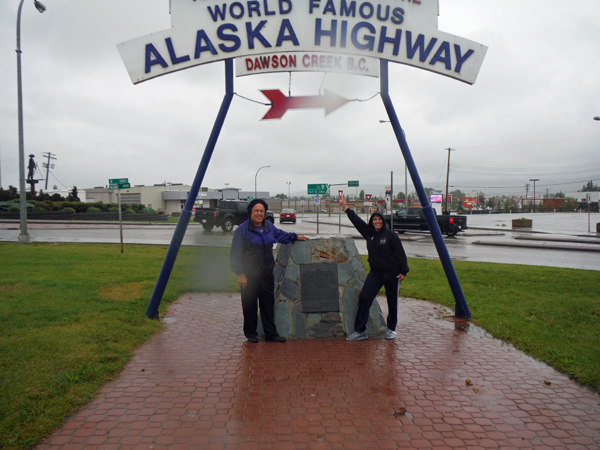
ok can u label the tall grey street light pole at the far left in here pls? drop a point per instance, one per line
(23, 236)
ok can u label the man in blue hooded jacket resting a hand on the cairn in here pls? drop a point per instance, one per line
(251, 258)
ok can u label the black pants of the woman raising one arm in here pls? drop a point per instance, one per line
(373, 283)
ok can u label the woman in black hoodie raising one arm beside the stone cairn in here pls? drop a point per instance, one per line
(389, 267)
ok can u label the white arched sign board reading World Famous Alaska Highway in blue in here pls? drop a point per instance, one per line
(214, 30)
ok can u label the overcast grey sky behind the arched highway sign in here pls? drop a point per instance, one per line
(529, 115)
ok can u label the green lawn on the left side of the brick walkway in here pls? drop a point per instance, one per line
(70, 316)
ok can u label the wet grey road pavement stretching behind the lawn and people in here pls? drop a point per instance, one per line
(489, 238)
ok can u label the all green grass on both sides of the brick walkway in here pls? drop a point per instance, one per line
(71, 315)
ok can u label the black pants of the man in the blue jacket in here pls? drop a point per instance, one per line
(261, 288)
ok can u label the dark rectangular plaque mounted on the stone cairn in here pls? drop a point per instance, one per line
(319, 286)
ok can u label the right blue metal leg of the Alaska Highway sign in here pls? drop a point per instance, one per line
(461, 308)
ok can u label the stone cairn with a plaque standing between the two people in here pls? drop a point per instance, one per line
(338, 322)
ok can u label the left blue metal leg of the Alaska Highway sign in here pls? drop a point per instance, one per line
(186, 213)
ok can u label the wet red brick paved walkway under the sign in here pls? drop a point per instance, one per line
(200, 385)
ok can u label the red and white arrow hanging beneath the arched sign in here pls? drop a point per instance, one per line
(280, 103)
